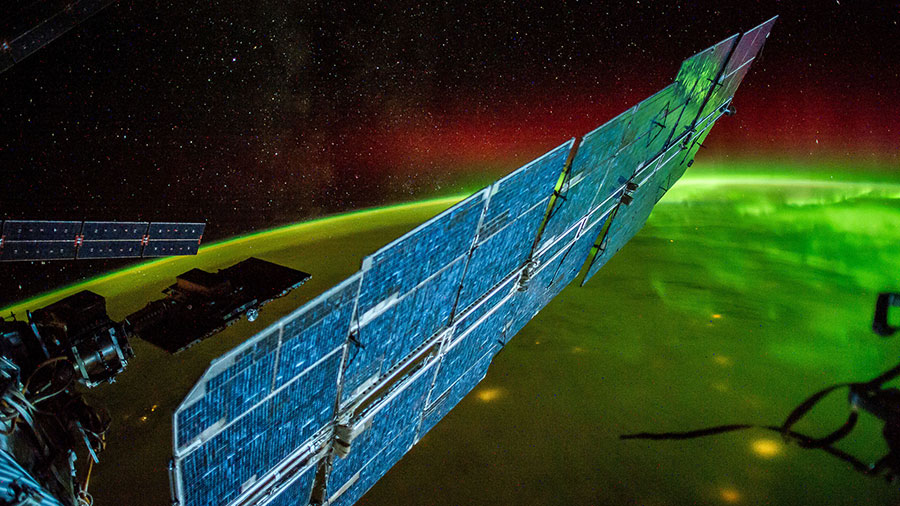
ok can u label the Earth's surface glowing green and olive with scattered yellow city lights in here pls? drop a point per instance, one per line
(749, 289)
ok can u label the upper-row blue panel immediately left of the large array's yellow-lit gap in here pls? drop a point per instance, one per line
(516, 208)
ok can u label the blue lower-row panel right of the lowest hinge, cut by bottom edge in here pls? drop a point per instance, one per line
(388, 431)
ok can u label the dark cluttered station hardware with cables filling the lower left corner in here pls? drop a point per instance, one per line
(44, 418)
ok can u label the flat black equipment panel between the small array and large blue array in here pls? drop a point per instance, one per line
(201, 303)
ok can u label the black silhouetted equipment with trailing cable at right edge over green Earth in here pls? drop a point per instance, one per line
(870, 396)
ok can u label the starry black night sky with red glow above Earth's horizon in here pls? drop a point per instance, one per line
(247, 115)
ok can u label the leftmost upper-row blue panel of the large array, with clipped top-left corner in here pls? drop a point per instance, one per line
(241, 419)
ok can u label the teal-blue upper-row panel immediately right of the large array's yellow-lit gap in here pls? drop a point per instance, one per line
(590, 169)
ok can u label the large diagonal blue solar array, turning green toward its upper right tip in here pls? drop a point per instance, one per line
(317, 407)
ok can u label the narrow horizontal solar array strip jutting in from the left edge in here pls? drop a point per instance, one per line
(67, 240)
